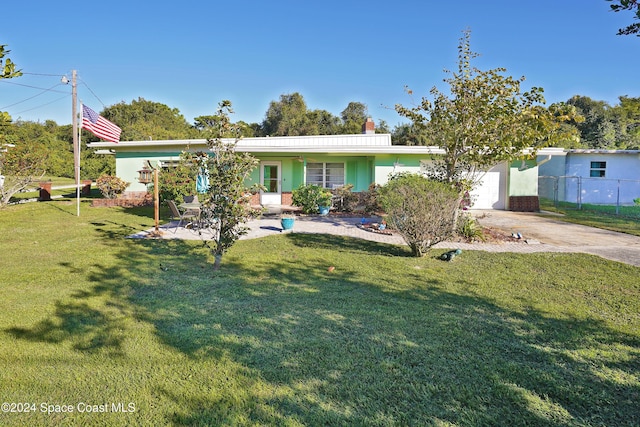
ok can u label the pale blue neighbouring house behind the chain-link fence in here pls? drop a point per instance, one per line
(607, 177)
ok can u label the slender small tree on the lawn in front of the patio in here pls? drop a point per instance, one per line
(226, 206)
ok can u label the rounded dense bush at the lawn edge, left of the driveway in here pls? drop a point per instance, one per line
(423, 211)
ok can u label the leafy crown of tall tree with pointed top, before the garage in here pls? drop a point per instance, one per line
(486, 119)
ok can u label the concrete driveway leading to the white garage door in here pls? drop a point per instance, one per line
(565, 236)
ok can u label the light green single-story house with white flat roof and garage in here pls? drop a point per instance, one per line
(327, 160)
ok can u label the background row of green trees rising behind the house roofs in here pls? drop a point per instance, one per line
(604, 127)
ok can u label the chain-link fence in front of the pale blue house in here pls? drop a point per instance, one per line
(615, 196)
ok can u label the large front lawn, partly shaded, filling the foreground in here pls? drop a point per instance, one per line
(274, 338)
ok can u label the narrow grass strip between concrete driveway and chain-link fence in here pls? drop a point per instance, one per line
(597, 216)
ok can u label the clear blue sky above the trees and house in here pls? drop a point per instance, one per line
(190, 55)
